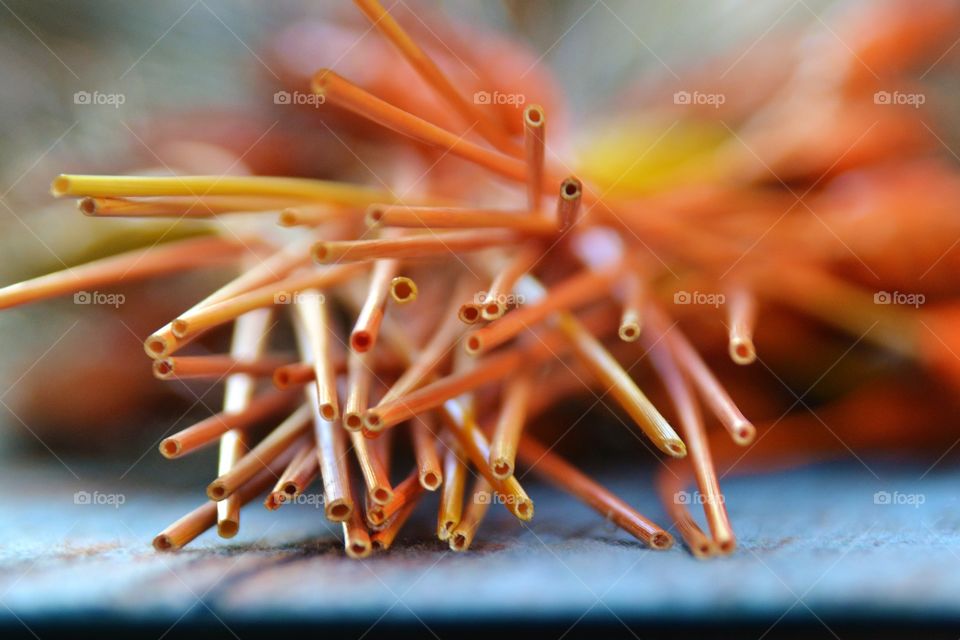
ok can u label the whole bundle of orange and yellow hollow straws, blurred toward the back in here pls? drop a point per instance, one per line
(552, 283)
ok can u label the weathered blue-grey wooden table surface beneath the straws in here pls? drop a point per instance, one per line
(815, 545)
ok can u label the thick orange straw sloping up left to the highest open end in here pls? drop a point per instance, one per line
(347, 95)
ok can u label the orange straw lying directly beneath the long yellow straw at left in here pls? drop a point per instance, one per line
(179, 206)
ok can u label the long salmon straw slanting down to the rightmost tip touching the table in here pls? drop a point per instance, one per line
(695, 437)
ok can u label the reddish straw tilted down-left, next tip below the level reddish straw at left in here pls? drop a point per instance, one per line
(206, 431)
